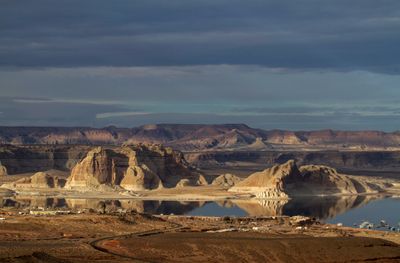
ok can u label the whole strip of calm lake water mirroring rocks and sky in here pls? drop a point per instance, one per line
(347, 210)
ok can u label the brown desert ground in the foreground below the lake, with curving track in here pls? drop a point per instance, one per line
(132, 237)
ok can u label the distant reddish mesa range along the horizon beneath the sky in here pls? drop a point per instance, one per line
(202, 137)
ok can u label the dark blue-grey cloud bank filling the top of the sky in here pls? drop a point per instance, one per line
(339, 35)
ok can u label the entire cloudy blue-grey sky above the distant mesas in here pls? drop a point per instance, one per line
(297, 65)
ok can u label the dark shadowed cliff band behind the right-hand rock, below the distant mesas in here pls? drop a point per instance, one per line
(354, 160)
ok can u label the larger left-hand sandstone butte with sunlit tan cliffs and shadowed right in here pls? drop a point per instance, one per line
(134, 168)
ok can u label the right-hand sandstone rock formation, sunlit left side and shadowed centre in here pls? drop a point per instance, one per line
(282, 181)
